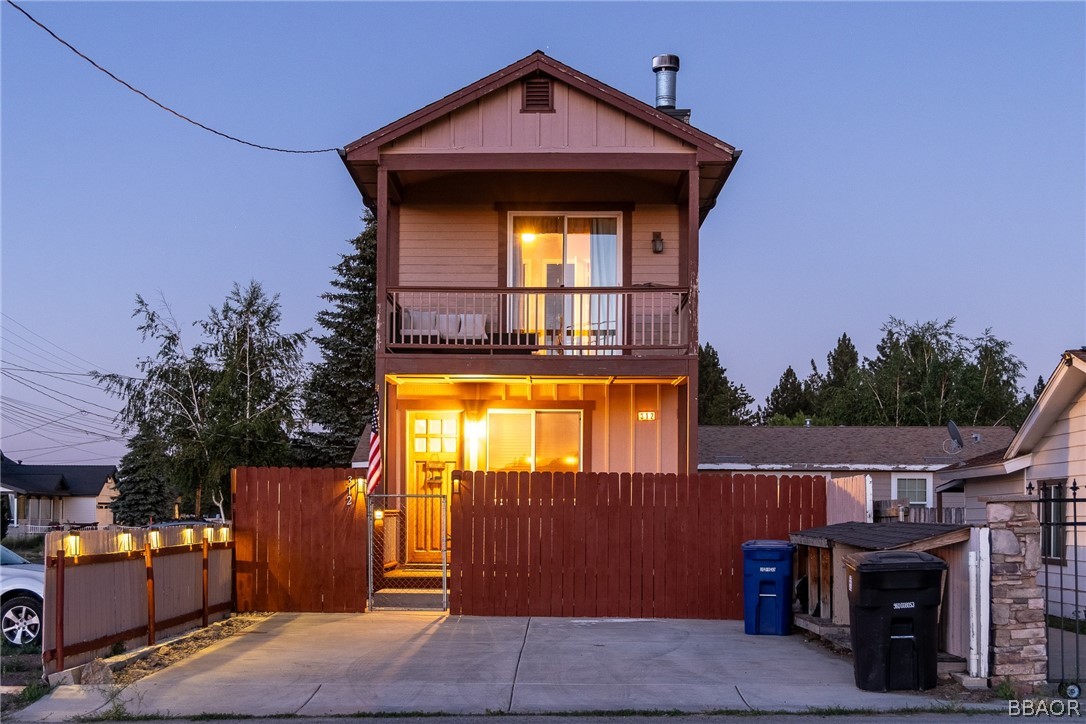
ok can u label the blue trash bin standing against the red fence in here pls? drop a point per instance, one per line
(767, 588)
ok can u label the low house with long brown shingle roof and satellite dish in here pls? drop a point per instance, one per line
(903, 463)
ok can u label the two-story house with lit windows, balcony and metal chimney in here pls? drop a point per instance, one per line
(537, 284)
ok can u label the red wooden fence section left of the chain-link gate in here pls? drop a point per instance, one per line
(301, 540)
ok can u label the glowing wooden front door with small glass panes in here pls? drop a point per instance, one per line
(434, 452)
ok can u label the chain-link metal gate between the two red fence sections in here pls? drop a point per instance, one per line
(409, 553)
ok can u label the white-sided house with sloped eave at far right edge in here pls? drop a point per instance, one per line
(1047, 459)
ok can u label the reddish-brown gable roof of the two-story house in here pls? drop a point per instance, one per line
(716, 158)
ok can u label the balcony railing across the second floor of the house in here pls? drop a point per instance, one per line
(600, 321)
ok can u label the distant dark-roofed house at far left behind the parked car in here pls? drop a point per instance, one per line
(59, 494)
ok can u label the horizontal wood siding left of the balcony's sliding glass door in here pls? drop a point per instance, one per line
(449, 247)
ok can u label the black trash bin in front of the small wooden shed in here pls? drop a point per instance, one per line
(893, 602)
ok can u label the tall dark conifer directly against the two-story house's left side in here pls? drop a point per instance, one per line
(342, 391)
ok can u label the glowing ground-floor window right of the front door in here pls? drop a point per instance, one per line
(528, 441)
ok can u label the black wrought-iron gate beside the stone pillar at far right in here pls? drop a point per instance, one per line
(1062, 585)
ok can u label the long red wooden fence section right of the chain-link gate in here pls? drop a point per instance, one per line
(617, 545)
